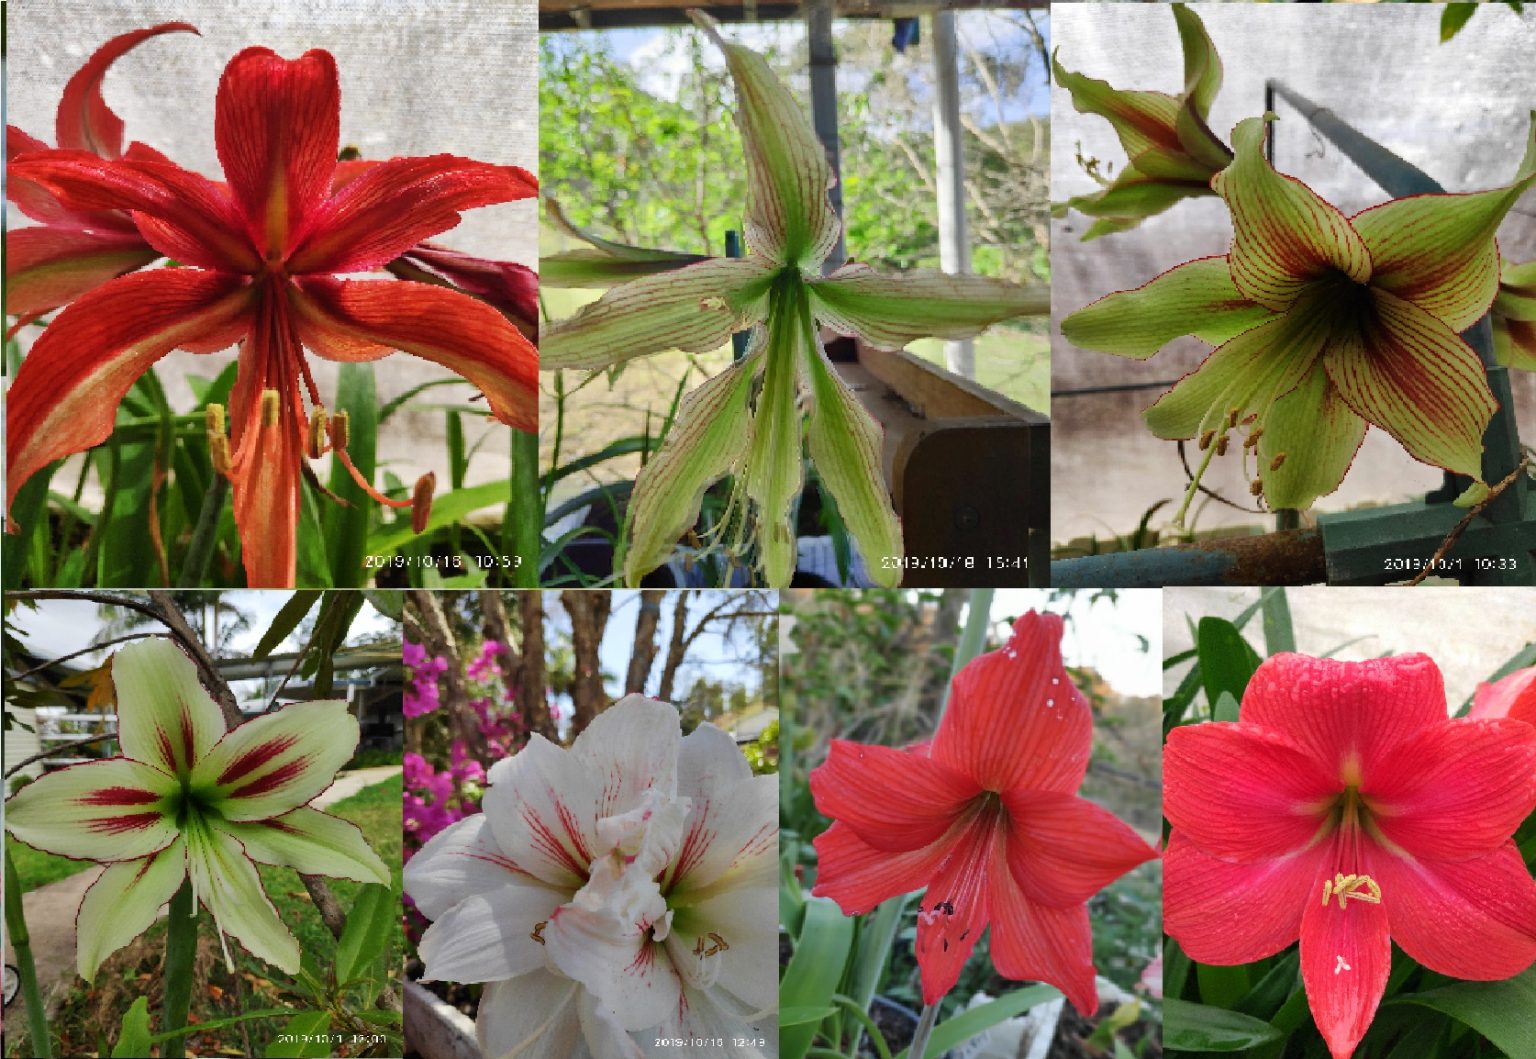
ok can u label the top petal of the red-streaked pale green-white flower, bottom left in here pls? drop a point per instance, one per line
(165, 717)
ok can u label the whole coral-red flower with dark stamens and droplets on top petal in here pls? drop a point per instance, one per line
(988, 820)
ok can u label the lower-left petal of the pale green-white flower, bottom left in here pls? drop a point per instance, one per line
(124, 903)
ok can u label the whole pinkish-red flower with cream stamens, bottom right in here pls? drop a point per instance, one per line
(1346, 809)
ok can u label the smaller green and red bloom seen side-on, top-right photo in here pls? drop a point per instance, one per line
(1173, 153)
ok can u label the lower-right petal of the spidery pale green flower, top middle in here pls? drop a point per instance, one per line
(846, 450)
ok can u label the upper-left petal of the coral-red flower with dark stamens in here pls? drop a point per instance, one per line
(895, 800)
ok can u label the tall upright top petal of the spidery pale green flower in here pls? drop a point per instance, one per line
(789, 216)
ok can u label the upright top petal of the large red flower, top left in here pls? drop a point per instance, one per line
(277, 127)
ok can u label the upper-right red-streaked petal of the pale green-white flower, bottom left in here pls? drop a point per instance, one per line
(280, 762)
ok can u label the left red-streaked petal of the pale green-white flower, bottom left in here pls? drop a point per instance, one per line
(102, 811)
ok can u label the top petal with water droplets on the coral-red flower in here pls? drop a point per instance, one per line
(1015, 717)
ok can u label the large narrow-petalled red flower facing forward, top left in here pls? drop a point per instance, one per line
(263, 259)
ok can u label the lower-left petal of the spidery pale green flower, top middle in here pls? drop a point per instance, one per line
(707, 440)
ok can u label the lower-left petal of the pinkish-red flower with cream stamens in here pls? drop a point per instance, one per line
(1231, 914)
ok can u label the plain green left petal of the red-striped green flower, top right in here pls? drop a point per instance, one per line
(1193, 299)
